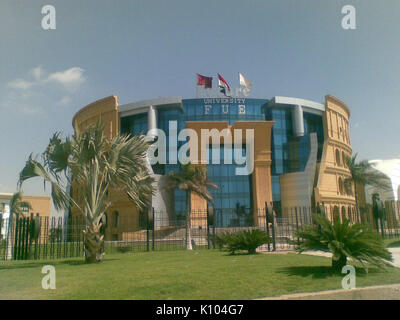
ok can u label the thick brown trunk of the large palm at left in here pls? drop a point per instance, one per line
(93, 244)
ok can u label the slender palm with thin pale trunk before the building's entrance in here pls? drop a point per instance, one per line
(191, 179)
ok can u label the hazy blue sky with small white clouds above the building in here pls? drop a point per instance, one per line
(146, 49)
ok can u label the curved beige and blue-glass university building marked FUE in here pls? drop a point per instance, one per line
(299, 149)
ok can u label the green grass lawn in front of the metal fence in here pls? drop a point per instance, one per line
(203, 274)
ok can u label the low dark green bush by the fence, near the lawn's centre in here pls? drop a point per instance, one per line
(248, 240)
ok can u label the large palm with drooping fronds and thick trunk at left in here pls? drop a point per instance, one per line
(93, 165)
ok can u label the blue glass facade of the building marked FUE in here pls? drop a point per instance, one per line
(289, 153)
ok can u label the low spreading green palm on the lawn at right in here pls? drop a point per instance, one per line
(343, 240)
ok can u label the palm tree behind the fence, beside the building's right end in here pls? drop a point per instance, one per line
(362, 173)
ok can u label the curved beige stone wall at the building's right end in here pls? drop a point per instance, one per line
(330, 188)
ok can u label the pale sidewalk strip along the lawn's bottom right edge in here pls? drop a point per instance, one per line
(388, 292)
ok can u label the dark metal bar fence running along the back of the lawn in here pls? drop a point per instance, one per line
(41, 238)
